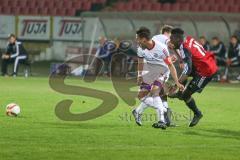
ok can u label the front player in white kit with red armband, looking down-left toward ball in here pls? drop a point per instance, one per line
(152, 75)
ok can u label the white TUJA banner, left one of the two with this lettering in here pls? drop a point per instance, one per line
(34, 28)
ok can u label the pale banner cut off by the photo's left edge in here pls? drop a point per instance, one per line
(7, 26)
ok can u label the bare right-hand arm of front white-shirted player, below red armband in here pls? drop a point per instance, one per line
(173, 72)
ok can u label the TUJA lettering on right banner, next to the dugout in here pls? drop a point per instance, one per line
(71, 27)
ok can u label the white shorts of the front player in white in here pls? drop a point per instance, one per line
(154, 72)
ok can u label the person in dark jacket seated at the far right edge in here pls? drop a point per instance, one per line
(233, 54)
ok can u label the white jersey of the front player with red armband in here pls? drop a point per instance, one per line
(158, 55)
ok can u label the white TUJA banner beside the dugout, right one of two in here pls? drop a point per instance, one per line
(68, 28)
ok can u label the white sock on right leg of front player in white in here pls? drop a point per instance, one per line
(157, 103)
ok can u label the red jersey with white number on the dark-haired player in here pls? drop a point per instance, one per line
(203, 61)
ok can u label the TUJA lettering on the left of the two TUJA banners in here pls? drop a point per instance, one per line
(34, 27)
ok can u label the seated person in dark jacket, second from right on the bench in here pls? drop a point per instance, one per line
(219, 50)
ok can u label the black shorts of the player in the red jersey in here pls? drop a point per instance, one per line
(198, 83)
